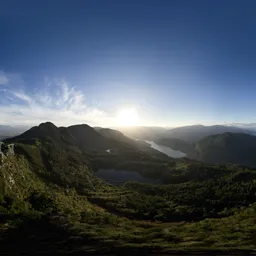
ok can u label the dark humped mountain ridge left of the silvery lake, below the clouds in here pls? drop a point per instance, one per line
(82, 142)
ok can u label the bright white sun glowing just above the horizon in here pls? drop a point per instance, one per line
(127, 117)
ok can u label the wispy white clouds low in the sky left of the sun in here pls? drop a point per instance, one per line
(57, 102)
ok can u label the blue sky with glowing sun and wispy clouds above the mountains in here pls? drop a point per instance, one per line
(113, 63)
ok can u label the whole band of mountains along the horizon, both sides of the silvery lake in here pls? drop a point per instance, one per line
(210, 144)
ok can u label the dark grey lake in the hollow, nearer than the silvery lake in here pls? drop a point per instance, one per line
(119, 177)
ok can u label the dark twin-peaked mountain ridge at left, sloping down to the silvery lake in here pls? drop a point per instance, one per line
(82, 144)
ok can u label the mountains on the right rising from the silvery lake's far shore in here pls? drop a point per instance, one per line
(223, 148)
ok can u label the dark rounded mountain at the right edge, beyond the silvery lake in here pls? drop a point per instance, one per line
(235, 148)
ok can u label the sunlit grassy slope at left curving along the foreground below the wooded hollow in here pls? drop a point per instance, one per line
(77, 225)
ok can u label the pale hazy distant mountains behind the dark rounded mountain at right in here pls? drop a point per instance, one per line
(195, 133)
